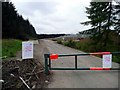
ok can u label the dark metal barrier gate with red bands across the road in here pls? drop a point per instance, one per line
(48, 58)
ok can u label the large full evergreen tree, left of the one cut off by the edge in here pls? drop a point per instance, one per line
(101, 20)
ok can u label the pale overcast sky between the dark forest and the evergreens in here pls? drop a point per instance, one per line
(54, 16)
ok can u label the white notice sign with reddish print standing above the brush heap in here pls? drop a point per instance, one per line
(27, 50)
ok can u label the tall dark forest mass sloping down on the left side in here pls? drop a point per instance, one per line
(14, 25)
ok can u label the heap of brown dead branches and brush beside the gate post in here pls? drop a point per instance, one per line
(28, 70)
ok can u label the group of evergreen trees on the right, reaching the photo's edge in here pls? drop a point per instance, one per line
(104, 17)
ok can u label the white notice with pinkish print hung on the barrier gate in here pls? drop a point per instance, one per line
(107, 61)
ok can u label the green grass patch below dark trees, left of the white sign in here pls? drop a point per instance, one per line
(10, 47)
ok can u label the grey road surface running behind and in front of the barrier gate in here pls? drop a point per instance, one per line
(79, 79)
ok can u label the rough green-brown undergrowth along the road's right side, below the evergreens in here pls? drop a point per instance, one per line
(91, 45)
